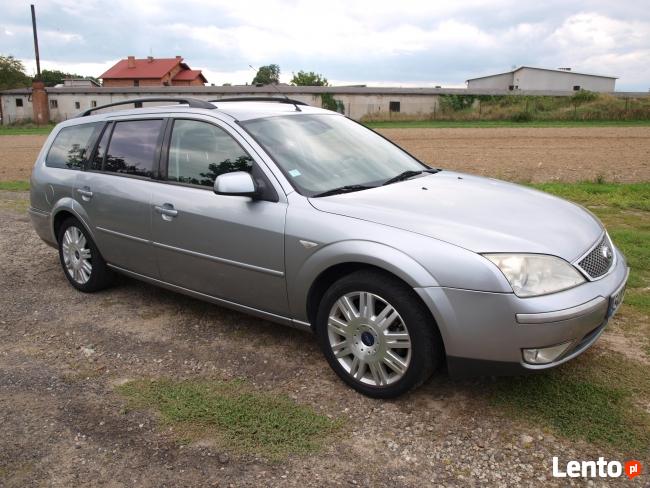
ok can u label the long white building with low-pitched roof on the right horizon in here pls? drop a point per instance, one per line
(527, 78)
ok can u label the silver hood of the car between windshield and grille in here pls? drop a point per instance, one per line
(479, 214)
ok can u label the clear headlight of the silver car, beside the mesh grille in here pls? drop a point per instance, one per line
(536, 274)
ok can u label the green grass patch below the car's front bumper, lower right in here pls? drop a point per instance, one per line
(593, 398)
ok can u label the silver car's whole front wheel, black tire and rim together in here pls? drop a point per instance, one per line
(377, 335)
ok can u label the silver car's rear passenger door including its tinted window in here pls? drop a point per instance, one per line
(115, 192)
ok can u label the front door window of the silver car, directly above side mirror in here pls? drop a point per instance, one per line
(199, 152)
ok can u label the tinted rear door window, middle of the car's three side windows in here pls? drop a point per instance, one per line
(133, 147)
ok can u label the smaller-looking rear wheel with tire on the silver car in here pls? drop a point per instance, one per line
(82, 263)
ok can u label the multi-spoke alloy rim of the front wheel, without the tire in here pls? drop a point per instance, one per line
(369, 338)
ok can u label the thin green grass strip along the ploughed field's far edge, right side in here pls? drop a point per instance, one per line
(441, 124)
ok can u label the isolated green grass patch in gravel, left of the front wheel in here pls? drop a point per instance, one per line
(236, 416)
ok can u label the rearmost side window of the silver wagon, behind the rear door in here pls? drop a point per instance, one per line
(70, 146)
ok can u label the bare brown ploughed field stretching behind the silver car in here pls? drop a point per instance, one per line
(521, 154)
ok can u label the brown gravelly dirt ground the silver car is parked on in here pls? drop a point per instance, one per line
(62, 353)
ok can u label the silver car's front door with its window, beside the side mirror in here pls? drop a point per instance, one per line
(225, 246)
